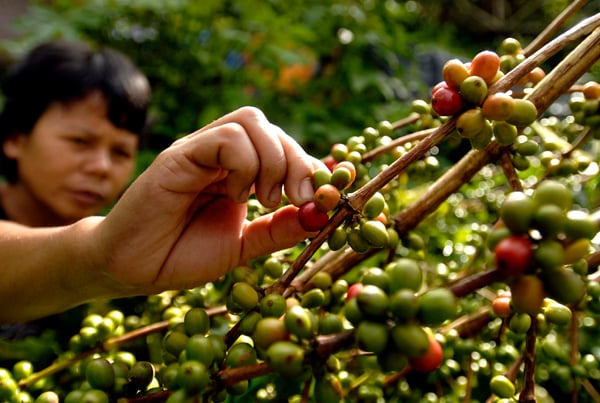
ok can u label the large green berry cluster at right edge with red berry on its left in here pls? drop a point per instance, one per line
(542, 246)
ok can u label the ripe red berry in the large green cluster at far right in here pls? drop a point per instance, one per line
(514, 255)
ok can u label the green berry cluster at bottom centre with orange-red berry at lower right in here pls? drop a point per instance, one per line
(389, 313)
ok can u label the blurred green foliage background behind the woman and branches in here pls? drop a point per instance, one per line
(361, 61)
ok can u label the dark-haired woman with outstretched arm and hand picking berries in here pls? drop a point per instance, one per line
(181, 223)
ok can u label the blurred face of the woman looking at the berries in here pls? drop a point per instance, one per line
(75, 162)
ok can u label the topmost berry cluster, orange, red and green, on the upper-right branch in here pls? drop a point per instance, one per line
(481, 116)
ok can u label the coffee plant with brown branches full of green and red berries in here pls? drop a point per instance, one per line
(477, 283)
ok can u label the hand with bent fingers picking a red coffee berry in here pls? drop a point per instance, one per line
(182, 222)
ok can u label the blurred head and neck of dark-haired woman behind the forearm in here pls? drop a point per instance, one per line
(70, 130)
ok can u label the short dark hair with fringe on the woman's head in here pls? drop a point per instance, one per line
(63, 71)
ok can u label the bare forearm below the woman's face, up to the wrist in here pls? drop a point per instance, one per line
(48, 270)
